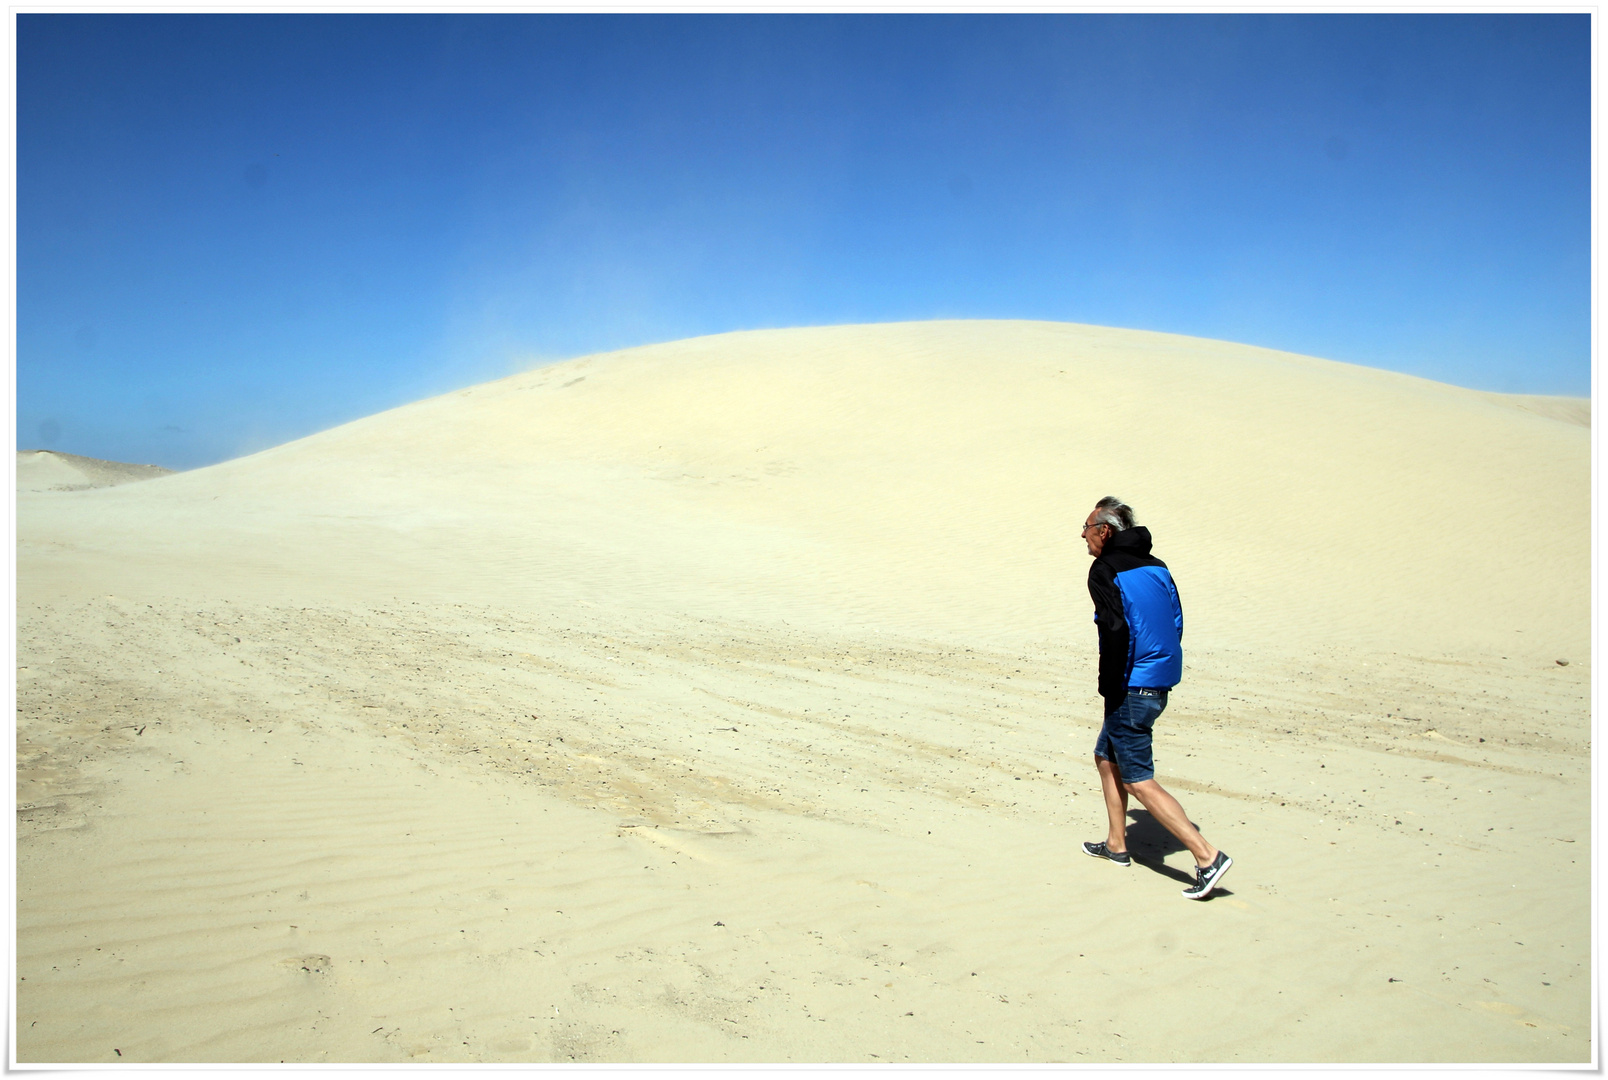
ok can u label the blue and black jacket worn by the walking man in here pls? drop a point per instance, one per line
(1138, 615)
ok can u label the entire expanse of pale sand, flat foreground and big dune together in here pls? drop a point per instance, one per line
(732, 702)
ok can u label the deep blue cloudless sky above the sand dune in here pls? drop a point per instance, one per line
(237, 231)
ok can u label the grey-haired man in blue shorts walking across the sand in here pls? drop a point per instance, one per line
(1141, 628)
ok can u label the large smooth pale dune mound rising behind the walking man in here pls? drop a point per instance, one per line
(932, 477)
